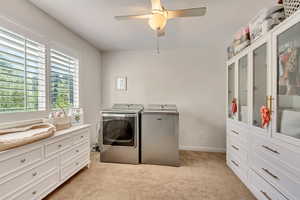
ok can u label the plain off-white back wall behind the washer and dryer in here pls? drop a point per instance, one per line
(193, 79)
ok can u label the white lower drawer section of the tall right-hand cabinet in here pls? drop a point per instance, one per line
(269, 168)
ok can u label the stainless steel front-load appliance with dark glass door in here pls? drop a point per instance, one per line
(119, 134)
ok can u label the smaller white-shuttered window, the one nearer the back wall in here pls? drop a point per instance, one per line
(64, 80)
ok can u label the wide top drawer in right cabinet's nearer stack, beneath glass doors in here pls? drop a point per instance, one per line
(277, 153)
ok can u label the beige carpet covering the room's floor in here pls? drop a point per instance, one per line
(202, 176)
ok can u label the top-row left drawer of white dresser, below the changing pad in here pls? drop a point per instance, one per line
(17, 162)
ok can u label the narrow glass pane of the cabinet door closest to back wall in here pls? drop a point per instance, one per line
(231, 88)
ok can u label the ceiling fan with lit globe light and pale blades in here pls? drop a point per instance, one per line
(159, 16)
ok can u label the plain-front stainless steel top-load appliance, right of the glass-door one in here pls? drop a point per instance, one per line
(159, 141)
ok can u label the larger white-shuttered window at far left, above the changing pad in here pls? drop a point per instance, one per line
(22, 73)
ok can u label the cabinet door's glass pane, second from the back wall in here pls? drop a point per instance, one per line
(243, 89)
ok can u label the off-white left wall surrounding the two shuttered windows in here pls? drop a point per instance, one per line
(26, 18)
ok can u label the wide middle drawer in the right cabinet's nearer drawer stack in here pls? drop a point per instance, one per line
(284, 181)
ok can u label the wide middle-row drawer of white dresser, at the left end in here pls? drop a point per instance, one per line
(20, 180)
